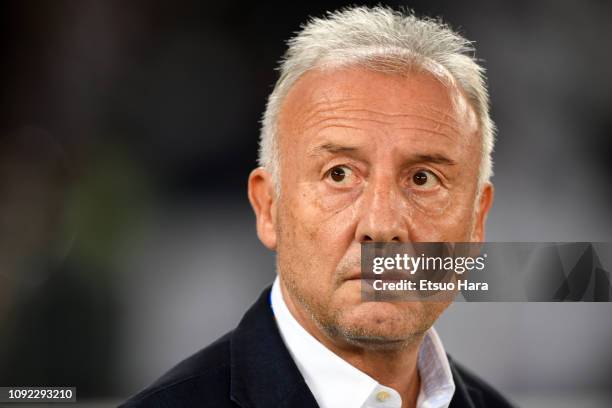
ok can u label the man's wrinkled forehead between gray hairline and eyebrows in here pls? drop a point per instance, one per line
(376, 100)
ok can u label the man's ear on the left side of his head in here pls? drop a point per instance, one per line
(263, 201)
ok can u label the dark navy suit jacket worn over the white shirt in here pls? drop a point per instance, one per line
(250, 367)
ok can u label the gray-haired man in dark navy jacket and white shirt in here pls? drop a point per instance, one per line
(377, 131)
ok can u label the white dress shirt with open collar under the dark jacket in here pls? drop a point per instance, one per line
(337, 384)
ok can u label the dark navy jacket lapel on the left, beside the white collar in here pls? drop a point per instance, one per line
(263, 373)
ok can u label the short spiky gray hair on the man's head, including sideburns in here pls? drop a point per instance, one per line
(379, 39)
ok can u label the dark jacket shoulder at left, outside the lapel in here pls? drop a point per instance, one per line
(200, 380)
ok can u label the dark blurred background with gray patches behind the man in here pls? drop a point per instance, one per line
(127, 133)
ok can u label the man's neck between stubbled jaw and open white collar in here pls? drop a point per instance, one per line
(393, 367)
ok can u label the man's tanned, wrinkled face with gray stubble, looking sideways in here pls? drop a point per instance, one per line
(368, 156)
